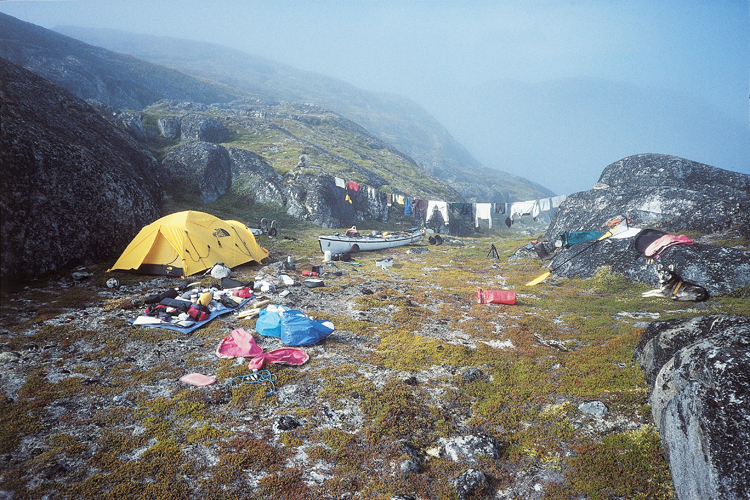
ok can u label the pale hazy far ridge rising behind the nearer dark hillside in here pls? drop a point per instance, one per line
(393, 119)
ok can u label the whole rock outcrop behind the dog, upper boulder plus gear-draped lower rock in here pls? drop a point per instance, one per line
(666, 193)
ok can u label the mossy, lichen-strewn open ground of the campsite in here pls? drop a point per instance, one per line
(92, 406)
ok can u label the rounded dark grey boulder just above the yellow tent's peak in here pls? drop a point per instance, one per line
(199, 168)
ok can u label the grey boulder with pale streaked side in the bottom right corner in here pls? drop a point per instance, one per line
(699, 369)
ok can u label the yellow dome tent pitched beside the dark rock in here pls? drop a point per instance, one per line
(186, 243)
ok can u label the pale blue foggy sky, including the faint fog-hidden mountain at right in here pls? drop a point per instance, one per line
(454, 57)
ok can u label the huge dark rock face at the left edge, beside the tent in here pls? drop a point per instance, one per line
(74, 189)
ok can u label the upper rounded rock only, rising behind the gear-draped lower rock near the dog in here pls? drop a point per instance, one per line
(663, 192)
